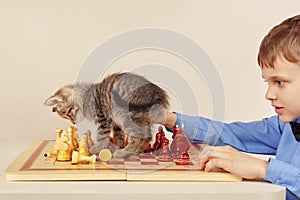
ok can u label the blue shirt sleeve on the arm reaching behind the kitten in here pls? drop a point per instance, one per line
(254, 137)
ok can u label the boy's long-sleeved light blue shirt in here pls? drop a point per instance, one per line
(267, 136)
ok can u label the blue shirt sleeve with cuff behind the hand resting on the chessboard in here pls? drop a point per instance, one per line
(284, 174)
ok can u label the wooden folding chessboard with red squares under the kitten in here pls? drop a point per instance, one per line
(32, 165)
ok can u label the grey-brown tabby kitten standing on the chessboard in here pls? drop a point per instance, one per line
(124, 103)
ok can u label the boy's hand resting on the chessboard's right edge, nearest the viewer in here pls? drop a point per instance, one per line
(233, 161)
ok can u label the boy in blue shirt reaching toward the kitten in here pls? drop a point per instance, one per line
(279, 59)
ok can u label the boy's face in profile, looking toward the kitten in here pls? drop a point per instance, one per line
(284, 88)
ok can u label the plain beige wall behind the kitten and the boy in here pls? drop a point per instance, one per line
(44, 43)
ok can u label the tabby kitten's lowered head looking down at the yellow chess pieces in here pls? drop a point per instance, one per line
(62, 102)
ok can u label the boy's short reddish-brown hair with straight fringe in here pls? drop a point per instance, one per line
(283, 40)
